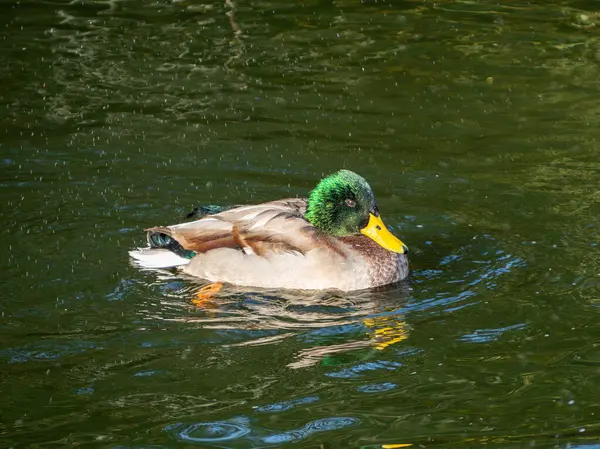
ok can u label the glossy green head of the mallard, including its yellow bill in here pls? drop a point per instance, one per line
(343, 204)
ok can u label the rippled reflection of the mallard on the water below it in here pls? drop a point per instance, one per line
(371, 319)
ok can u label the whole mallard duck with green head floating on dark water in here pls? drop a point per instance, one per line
(335, 239)
